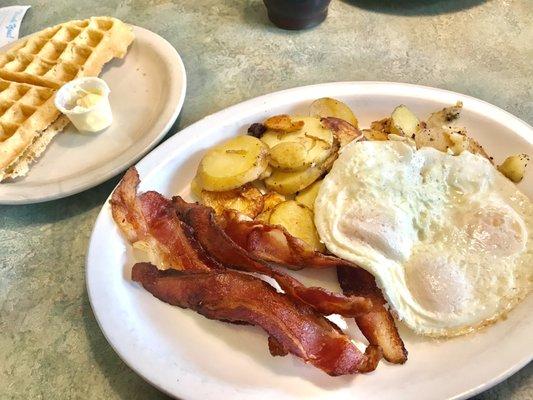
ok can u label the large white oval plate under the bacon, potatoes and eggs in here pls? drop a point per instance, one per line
(191, 357)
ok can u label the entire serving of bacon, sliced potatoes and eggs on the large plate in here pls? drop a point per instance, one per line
(413, 215)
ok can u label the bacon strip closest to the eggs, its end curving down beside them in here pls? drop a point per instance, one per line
(275, 244)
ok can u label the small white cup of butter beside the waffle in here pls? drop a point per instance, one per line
(85, 102)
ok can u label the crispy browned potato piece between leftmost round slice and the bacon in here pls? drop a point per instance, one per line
(246, 199)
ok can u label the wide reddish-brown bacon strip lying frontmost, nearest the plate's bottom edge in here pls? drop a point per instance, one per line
(235, 297)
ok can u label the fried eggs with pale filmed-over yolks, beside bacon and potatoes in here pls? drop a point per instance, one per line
(448, 238)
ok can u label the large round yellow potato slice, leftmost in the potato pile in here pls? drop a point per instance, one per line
(233, 163)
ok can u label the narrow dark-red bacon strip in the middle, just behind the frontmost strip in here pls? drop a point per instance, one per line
(215, 241)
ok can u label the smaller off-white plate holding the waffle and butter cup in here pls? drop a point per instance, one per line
(147, 93)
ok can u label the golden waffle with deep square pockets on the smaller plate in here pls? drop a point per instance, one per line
(32, 71)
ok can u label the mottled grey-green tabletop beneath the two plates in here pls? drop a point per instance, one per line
(50, 344)
